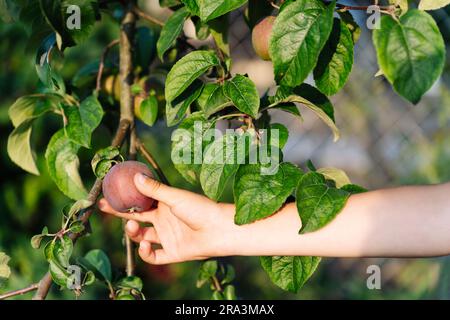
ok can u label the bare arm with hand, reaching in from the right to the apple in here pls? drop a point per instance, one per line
(402, 222)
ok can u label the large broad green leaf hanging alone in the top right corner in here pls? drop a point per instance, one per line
(411, 53)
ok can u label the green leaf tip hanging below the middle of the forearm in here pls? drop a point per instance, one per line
(290, 273)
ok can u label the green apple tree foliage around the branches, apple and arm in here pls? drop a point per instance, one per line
(309, 37)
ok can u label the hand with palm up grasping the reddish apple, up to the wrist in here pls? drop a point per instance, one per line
(187, 225)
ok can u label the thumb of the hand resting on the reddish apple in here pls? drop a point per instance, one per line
(158, 191)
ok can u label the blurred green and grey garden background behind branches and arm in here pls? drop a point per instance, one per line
(386, 142)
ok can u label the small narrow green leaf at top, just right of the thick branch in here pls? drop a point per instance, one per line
(171, 30)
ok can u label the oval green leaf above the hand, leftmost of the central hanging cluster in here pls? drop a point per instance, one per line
(187, 141)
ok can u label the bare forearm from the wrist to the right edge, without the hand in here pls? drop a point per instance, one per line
(402, 222)
